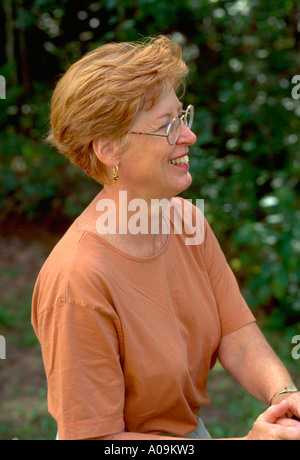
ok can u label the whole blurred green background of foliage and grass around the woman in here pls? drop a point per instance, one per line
(242, 57)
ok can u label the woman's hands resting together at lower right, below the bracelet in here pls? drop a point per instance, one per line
(275, 424)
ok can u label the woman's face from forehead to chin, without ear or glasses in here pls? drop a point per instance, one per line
(146, 169)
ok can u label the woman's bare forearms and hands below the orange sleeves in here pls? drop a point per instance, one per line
(248, 357)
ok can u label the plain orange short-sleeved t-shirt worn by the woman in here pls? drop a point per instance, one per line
(128, 342)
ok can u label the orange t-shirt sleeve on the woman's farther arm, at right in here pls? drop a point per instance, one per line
(234, 313)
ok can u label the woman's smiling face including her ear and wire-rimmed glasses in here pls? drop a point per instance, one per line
(163, 167)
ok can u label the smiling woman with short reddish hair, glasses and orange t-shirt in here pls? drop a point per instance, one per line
(131, 317)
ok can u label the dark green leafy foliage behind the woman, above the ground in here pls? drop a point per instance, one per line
(242, 56)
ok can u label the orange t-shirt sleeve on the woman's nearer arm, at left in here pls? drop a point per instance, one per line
(80, 346)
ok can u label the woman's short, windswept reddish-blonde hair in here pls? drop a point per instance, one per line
(101, 95)
